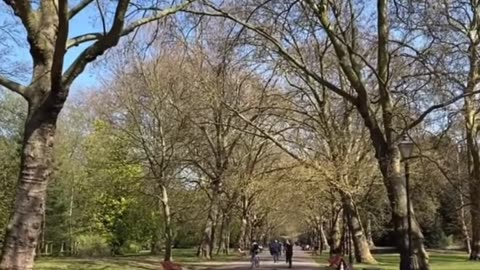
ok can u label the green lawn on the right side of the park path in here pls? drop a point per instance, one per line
(438, 261)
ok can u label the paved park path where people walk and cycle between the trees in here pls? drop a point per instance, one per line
(301, 261)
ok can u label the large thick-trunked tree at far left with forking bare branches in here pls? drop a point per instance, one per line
(46, 26)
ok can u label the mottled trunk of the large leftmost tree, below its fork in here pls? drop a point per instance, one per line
(25, 224)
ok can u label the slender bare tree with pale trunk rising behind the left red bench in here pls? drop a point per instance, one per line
(147, 95)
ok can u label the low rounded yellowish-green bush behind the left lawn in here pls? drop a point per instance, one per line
(91, 245)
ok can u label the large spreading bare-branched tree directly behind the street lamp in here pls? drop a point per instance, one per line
(375, 91)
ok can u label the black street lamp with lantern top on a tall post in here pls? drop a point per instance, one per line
(406, 149)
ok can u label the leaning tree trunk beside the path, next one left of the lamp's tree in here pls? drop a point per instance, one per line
(360, 243)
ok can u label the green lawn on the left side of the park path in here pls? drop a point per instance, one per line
(133, 262)
